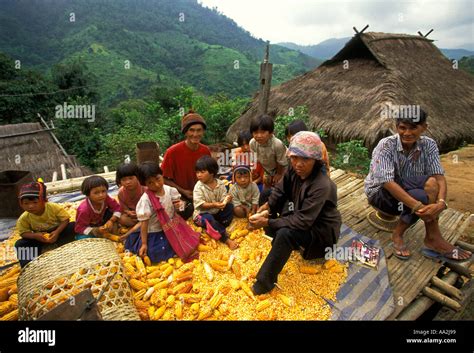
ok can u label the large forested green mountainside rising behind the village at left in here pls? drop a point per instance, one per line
(132, 45)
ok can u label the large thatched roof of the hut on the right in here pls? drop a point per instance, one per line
(393, 69)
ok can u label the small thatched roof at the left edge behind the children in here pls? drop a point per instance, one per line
(31, 148)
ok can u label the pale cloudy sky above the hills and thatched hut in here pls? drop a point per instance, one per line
(308, 22)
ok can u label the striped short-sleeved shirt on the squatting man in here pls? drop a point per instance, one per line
(389, 163)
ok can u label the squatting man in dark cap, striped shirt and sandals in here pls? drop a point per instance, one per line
(406, 178)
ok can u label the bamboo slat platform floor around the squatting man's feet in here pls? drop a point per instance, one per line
(406, 277)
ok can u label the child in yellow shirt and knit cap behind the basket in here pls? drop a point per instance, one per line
(42, 222)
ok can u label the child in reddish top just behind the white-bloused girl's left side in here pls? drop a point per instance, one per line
(127, 177)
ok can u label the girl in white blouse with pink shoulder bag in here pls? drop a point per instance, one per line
(155, 210)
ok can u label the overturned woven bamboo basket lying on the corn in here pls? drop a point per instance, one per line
(57, 275)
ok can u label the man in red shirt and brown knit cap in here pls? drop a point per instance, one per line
(180, 159)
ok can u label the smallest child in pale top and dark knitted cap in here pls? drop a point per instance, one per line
(244, 192)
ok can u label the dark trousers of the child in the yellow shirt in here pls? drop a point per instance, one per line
(28, 249)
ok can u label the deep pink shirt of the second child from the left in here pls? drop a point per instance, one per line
(87, 217)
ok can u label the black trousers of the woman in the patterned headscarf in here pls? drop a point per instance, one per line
(285, 240)
